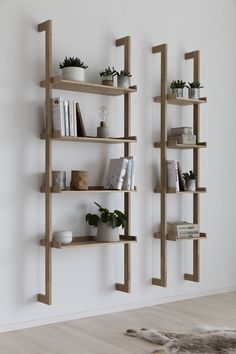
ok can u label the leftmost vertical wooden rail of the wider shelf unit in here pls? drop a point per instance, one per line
(47, 297)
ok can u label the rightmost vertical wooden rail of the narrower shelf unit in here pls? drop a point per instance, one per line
(196, 167)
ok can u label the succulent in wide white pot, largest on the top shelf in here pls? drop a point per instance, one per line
(73, 69)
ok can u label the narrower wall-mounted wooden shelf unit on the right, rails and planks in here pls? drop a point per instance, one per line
(164, 99)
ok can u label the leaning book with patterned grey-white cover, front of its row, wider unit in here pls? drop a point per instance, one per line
(116, 173)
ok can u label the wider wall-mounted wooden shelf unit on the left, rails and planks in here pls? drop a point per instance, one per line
(49, 84)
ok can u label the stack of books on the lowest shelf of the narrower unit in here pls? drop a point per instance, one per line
(183, 229)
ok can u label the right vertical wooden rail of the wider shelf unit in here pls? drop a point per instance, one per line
(126, 287)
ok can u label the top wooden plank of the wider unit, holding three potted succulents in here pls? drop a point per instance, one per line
(81, 86)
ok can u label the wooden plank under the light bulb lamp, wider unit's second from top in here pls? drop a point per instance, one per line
(91, 139)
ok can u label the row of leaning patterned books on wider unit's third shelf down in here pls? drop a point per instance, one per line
(121, 174)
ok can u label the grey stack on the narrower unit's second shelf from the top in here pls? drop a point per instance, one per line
(182, 135)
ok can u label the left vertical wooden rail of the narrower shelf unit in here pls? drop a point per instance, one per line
(162, 281)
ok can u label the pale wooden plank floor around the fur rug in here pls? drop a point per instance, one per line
(104, 334)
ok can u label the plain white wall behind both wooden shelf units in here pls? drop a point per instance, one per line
(83, 279)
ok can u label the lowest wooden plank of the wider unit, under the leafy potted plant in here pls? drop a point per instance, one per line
(79, 241)
